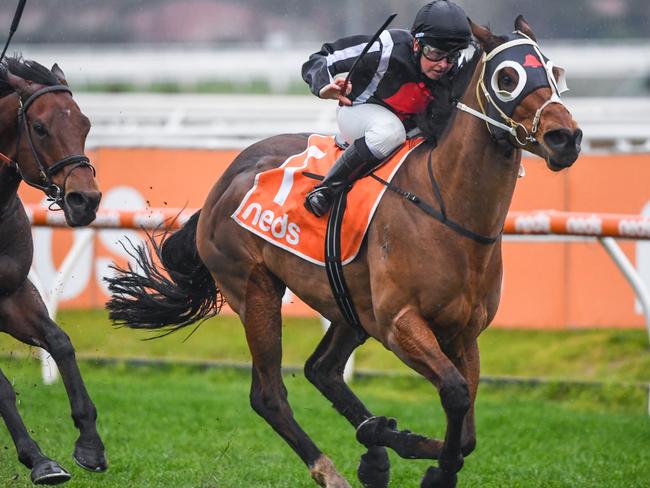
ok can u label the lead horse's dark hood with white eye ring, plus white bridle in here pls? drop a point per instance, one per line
(529, 80)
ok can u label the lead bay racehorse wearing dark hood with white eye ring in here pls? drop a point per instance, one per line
(424, 288)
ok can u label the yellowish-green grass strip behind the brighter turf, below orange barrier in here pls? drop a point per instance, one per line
(607, 355)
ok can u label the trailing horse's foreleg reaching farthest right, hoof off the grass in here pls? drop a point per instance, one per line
(25, 317)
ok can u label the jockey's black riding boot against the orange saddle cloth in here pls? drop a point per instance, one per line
(355, 161)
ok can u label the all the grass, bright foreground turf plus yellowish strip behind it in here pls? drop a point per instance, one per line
(183, 426)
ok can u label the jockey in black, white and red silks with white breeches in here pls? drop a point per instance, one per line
(397, 80)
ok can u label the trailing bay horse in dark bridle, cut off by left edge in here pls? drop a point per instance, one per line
(42, 138)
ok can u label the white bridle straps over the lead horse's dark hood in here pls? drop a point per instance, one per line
(512, 126)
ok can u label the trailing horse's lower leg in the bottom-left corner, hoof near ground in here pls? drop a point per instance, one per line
(44, 469)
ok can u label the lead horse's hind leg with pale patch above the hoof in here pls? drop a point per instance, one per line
(263, 324)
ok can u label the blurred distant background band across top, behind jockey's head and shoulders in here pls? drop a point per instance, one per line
(259, 45)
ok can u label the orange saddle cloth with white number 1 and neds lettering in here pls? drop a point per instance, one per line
(273, 209)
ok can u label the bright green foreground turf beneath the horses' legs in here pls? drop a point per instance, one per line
(177, 426)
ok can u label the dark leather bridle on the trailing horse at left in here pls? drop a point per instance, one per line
(54, 192)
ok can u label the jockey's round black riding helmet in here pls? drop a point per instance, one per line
(442, 24)
